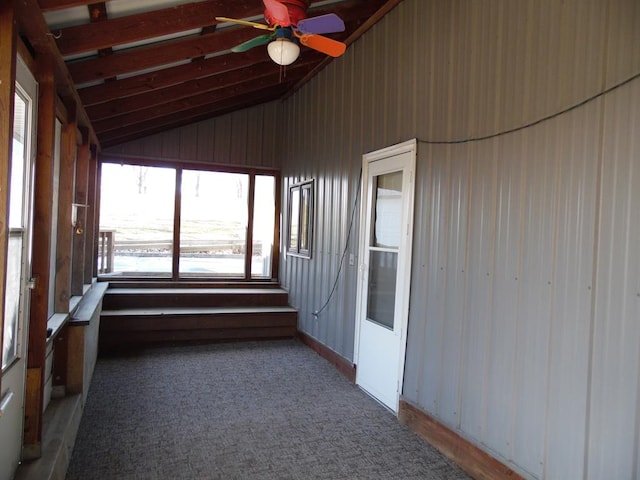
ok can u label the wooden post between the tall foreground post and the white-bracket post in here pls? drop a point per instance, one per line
(65, 199)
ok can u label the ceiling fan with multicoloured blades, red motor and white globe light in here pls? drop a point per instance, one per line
(288, 23)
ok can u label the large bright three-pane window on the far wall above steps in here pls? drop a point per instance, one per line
(178, 222)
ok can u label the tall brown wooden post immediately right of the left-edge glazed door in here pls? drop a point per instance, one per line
(41, 270)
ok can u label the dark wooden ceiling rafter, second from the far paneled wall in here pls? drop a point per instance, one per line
(170, 108)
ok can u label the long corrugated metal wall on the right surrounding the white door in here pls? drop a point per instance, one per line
(524, 332)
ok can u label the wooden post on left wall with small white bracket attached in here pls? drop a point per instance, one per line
(79, 235)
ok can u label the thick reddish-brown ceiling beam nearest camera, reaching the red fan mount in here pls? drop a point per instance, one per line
(156, 23)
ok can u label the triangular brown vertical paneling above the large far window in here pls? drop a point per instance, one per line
(246, 138)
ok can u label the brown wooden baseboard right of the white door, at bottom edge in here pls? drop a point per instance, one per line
(474, 461)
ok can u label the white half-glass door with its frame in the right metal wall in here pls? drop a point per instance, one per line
(386, 231)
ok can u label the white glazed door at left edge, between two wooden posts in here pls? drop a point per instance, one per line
(16, 314)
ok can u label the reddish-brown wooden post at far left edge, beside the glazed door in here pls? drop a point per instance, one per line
(8, 41)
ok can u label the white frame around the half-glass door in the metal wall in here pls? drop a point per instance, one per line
(404, 284)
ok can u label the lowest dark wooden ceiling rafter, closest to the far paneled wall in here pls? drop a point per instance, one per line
(186, 117)
